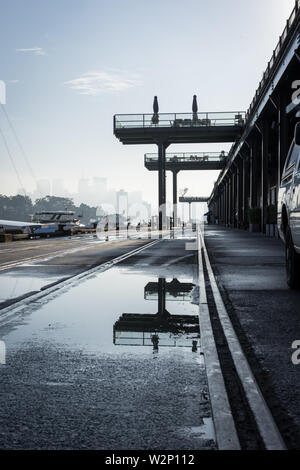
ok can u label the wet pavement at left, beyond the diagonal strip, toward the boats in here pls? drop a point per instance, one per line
(28, 266)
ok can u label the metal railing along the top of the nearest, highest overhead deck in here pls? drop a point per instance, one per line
(179, 120)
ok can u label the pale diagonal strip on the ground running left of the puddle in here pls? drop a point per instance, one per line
(18, 308)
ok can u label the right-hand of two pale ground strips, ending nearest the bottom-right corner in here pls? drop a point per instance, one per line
(263, 417)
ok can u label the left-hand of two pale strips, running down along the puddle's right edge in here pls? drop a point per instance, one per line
(225, 430)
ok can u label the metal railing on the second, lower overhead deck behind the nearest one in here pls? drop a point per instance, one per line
(189, 157)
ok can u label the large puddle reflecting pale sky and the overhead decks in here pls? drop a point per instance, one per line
(112, 312)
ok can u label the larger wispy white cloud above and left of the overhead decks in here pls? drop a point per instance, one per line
(95, 83)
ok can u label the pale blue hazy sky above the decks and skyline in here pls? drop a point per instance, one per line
(70, 65)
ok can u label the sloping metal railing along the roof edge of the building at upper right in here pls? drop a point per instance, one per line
(276, 53)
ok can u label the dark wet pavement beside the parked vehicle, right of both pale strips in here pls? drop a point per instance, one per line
(250, 269)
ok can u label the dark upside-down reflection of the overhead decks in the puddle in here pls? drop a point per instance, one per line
(162, 328)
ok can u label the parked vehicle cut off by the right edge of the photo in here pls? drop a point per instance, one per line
(289, 211)
